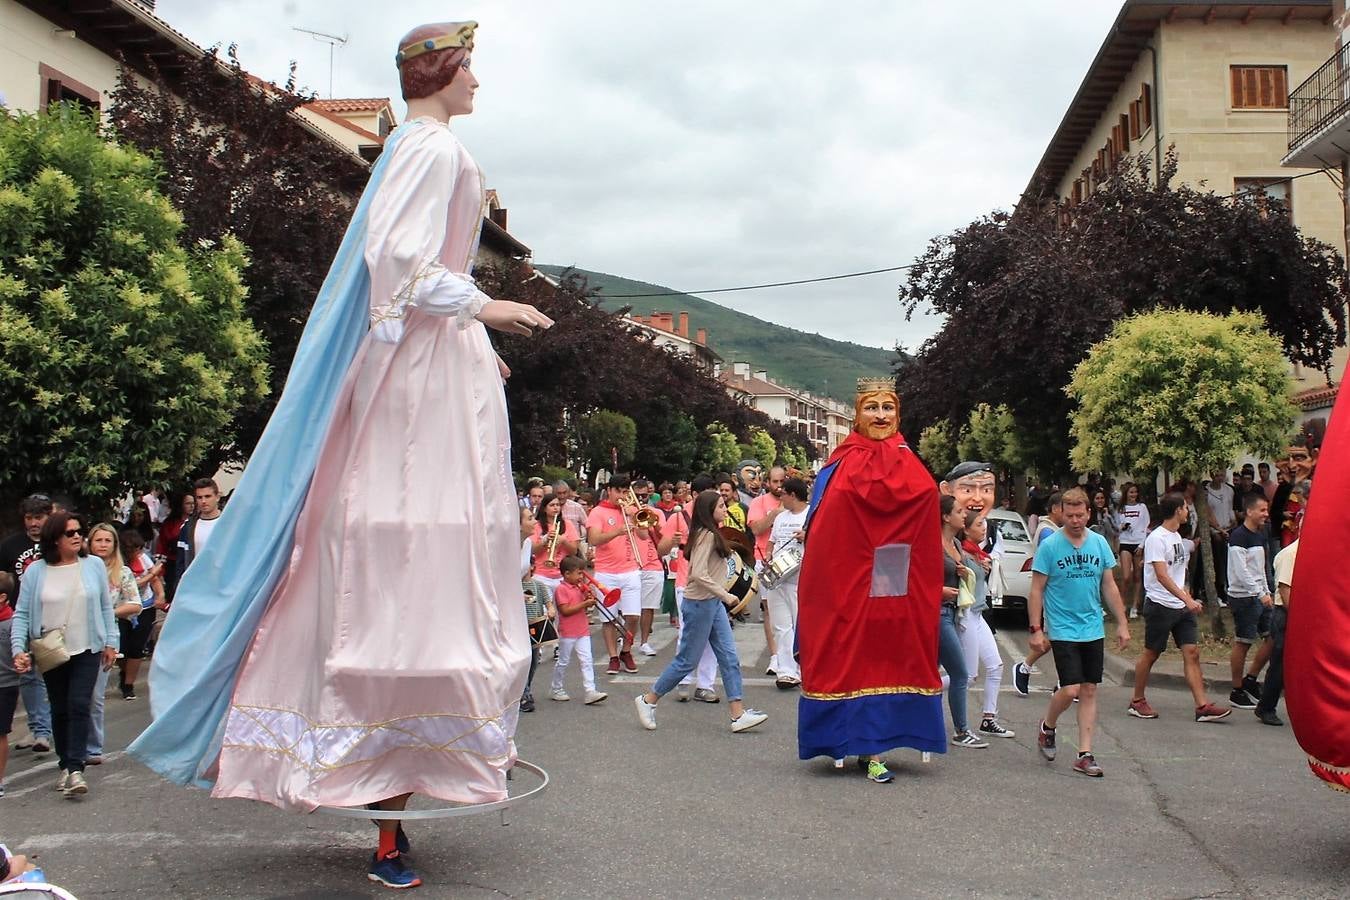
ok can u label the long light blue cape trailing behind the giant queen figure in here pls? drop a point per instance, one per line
(227, 588)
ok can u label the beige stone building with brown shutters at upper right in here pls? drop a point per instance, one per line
(1213, 80)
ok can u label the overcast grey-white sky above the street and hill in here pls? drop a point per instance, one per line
(707, 145)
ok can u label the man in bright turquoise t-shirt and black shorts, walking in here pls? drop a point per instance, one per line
(1071, 574)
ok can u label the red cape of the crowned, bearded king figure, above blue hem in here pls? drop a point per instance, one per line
(851, 643)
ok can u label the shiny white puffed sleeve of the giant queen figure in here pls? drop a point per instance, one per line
(404, 237)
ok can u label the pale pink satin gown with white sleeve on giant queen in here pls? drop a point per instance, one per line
(395, 650)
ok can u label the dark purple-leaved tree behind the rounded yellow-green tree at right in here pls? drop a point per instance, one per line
(1032, 291)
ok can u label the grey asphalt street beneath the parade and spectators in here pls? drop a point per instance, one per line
(695, 812)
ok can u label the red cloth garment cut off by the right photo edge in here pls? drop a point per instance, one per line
(1317, 651)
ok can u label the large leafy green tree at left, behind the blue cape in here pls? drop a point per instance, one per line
(126, 354)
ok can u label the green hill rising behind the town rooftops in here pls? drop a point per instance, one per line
(790, 357)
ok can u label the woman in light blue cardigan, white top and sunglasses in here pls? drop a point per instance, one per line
(68, 590)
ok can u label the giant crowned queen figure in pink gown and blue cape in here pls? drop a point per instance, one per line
(379, 646)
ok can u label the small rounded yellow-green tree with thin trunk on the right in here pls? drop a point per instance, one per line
(1183, 392)
